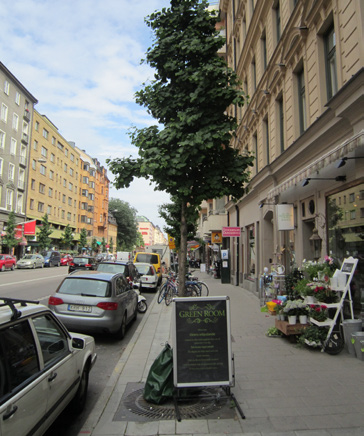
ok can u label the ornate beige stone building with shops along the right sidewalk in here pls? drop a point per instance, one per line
(301, 64)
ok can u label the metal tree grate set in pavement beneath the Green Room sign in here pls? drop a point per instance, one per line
(206, 402)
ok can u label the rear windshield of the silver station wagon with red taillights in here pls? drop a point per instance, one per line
(85, 287)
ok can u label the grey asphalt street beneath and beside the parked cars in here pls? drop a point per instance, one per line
(37, 285)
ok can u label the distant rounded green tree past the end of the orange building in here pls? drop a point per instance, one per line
(125, 216)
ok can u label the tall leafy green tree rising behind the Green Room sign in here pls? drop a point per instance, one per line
(187, 154)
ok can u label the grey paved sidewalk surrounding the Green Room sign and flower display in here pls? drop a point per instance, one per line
(282, 389)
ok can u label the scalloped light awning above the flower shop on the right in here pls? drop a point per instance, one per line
(331, 156)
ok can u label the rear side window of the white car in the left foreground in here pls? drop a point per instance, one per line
(18, 354)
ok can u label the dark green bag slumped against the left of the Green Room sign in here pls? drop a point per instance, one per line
(159, 385)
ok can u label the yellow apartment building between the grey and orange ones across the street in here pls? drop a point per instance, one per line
(53, 181)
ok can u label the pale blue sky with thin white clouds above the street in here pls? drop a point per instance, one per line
(81, 59)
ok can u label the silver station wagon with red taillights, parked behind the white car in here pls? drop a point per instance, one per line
(95, 301)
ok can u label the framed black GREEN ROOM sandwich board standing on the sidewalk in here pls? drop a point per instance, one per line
(202, 342)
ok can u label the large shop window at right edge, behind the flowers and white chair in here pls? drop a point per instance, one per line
(345, 223)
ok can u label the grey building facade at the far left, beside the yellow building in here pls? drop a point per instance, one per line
(17, 106)
